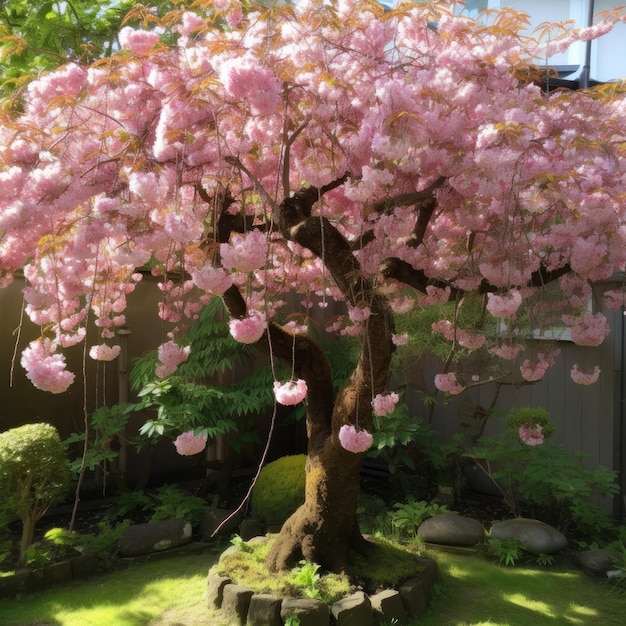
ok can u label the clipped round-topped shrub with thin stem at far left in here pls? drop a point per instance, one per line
(34, 475)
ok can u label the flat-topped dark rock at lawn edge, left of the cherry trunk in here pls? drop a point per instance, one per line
(140, 539)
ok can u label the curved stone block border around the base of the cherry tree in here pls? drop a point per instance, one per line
(240, 605)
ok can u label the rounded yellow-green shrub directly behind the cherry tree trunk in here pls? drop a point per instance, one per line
(279, 490)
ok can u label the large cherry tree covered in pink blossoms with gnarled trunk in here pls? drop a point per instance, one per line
(386, 160)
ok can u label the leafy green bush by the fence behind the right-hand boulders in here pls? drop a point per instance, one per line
(550, 481)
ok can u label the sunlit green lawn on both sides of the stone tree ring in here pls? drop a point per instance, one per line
(471, 591)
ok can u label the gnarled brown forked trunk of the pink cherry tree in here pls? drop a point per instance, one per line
(325, 528)
